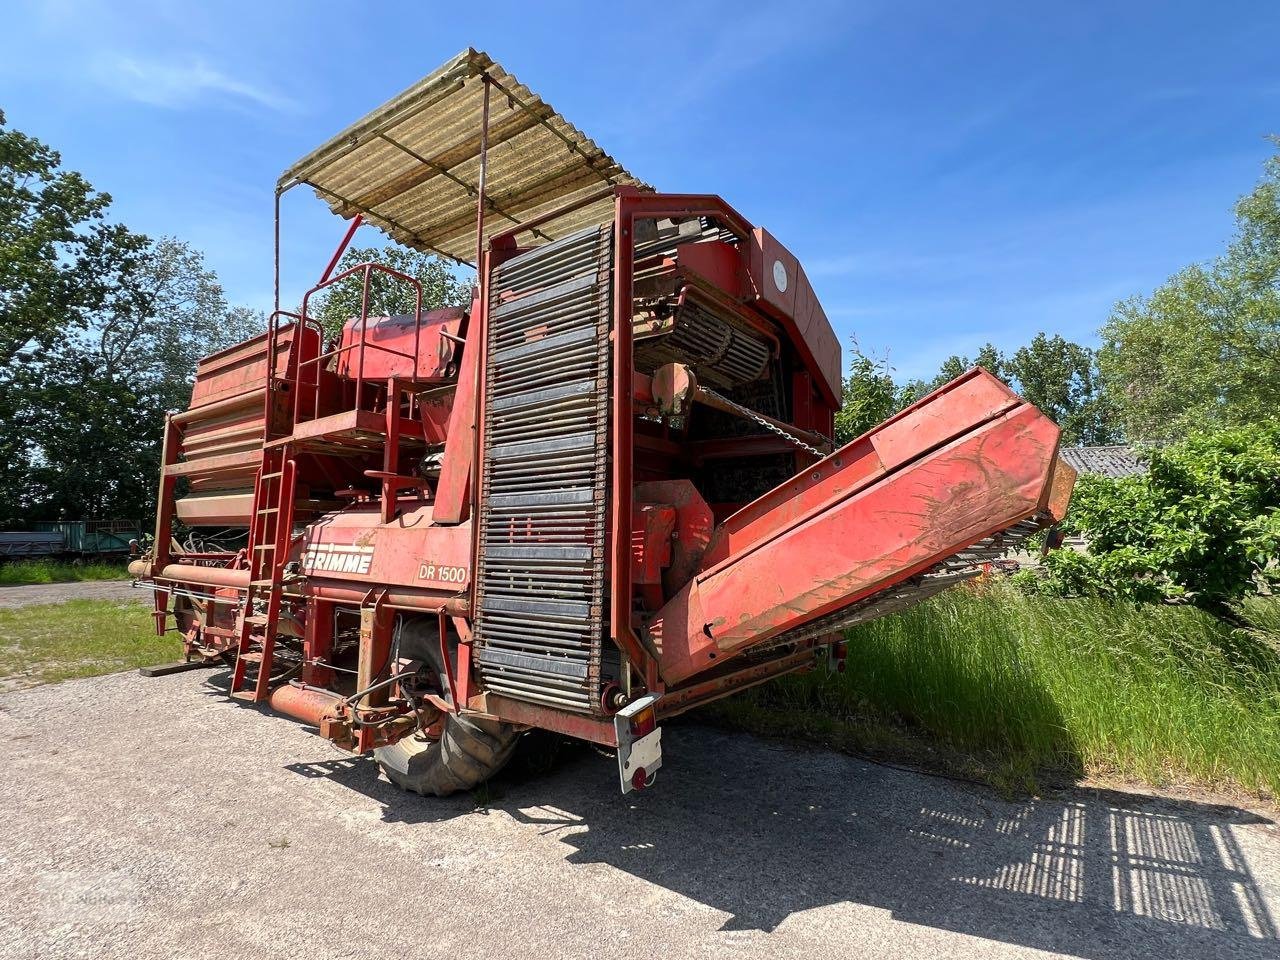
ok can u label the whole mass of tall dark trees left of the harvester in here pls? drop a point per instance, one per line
(100, 330)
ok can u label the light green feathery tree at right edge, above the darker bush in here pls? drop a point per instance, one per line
(1204, 349)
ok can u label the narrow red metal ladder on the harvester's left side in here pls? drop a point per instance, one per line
(268, 548)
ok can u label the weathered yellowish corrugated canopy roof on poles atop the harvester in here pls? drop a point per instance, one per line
(413, 166)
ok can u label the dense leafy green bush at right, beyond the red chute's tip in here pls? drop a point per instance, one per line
(1203, 525)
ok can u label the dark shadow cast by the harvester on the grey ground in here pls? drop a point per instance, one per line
(761, 833)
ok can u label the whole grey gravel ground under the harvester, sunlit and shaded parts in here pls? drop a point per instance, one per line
(154, 819)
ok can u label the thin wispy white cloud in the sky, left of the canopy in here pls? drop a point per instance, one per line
(184, 83)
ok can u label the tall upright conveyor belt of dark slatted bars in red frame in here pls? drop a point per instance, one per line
(541, 587)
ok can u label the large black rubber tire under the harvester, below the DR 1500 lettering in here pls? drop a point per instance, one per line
(470, 749)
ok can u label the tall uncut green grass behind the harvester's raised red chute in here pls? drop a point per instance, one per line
(1025, 685)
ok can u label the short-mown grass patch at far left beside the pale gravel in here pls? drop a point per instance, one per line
(79, 639)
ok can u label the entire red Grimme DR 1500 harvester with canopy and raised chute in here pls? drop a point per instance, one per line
(601, 495)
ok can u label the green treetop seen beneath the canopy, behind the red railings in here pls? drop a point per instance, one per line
(388, 295)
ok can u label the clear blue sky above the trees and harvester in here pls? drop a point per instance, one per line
(948, 173)
